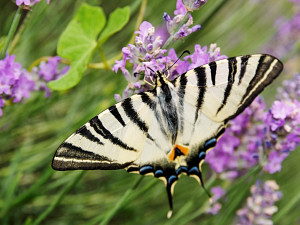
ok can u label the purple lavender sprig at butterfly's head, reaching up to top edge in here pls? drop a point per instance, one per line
(148, 54)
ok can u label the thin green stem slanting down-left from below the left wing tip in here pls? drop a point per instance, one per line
(58, 199)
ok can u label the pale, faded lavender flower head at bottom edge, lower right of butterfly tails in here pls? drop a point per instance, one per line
(260, 206)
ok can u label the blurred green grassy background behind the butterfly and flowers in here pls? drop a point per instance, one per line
(32, 193)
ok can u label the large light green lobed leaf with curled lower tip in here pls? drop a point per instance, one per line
(77, 43)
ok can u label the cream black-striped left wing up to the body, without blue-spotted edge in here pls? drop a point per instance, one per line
(115, 138)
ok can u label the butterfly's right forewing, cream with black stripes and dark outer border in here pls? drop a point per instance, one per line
(230, 85)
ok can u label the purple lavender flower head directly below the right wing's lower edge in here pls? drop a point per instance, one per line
(240, 147)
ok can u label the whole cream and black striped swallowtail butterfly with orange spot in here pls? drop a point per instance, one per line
(169, 130)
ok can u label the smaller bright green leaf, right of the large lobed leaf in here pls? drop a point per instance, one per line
(117, 20)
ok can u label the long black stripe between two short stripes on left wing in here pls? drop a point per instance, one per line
(100, 129)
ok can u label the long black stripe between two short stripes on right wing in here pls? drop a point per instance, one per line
(232, 68)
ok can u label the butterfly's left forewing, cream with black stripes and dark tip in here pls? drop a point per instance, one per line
(108, 141)
